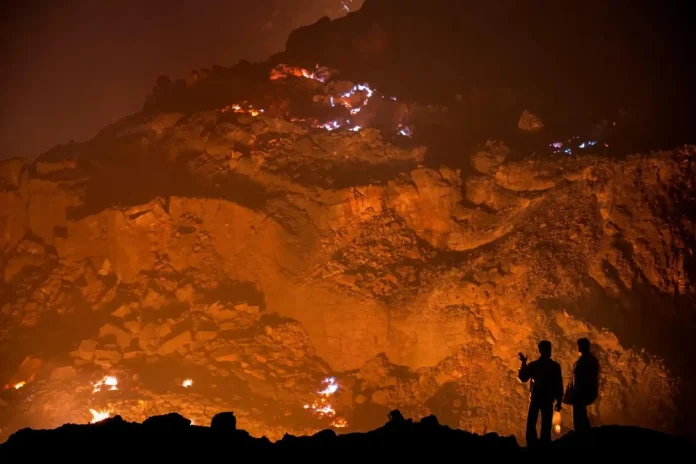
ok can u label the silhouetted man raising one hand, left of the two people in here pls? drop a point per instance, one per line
(547, 387)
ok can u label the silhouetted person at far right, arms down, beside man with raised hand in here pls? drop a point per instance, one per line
(585, 385)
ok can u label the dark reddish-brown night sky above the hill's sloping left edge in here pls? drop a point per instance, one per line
(70, 67)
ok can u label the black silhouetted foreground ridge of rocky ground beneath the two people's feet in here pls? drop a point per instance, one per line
(171, 435)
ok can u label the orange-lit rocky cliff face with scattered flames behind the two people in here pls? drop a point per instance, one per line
(250, 230)
